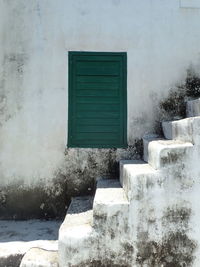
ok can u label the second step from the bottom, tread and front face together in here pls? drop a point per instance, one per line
(109, 200)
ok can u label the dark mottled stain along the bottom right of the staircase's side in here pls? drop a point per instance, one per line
(175, 250)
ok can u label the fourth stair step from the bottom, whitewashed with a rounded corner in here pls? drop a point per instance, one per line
(165, 153)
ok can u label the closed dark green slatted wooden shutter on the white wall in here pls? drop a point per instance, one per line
(97, 100)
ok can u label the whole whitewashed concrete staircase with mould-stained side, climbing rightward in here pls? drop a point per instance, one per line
(151, 216)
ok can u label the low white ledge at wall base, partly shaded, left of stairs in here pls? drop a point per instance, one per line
(17, 237)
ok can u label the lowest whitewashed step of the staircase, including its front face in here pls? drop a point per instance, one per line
(76, 235)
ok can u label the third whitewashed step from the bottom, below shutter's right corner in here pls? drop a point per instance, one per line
(134, 173)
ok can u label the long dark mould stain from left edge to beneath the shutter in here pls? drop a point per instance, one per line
(77, 177)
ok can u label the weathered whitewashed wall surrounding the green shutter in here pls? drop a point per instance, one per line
(161, 40)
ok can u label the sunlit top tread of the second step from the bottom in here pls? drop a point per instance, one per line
(109, 192)
